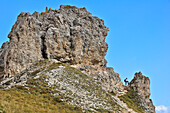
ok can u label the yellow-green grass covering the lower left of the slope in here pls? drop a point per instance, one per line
(35, 97)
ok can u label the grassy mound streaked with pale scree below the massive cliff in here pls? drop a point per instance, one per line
(57, 87)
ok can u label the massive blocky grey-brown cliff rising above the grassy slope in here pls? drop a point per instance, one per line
(69, 35)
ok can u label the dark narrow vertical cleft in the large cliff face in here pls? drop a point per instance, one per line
(43, 48)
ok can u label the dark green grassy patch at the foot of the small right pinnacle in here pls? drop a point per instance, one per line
(132, 99)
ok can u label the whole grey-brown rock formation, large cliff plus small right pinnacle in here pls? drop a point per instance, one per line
(69, 35)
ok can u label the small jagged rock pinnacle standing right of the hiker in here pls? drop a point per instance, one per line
(140, 83)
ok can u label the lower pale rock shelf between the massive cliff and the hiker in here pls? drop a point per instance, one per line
(109, 79)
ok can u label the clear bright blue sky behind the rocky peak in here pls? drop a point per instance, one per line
(139, 36)
